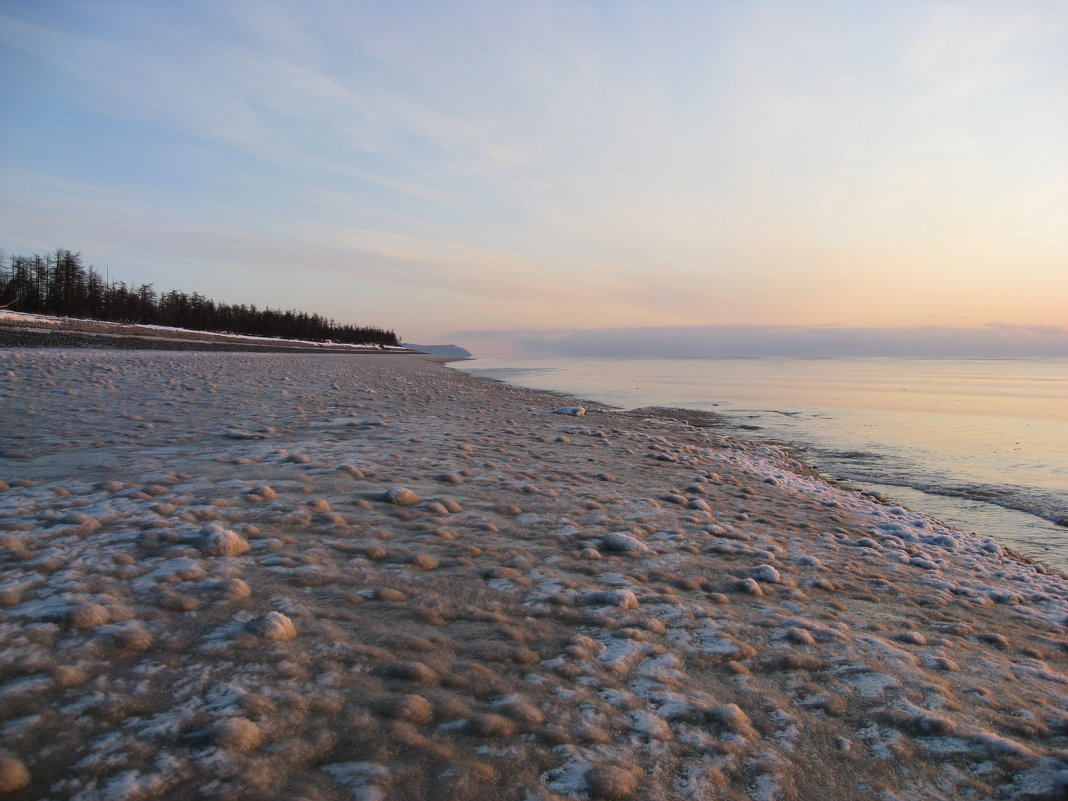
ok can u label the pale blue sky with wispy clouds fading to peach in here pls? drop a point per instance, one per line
(506, 176)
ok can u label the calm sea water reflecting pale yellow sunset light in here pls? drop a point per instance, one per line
(982, 445)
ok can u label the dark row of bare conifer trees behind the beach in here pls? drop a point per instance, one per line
(60, 285)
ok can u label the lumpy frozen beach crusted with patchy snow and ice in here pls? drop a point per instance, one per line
(268, 576)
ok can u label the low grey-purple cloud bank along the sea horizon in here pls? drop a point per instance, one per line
(682, 342)
